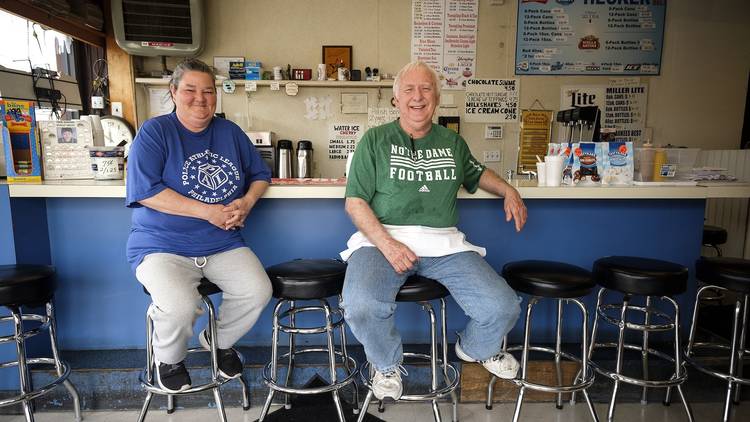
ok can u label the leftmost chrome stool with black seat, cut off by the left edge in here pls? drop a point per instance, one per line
(30, 286)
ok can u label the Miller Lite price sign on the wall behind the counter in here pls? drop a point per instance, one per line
(623, 107)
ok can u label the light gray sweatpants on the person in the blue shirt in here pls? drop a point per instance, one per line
(172, 280)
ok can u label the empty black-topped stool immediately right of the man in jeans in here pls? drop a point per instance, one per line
(564, 283)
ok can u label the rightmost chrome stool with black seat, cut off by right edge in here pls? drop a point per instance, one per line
(724, 274)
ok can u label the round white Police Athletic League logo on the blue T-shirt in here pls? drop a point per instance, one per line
(210, 177)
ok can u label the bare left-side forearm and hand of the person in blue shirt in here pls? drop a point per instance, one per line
(171, 202)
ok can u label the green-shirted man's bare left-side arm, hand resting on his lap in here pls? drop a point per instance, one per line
(398, 255)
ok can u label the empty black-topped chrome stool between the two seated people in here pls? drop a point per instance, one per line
(308, 280)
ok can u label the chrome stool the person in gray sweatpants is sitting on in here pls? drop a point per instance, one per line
(205, 289)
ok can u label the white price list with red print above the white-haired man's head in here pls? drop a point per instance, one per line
(444, 35)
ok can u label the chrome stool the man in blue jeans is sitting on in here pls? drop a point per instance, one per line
(422, 290)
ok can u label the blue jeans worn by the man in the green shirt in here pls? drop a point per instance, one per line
(369, 302)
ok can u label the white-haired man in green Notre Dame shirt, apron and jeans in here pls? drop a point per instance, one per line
(401, 196)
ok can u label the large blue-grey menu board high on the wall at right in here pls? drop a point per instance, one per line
(590, 37)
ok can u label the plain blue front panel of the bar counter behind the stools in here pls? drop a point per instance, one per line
(100, 305)
